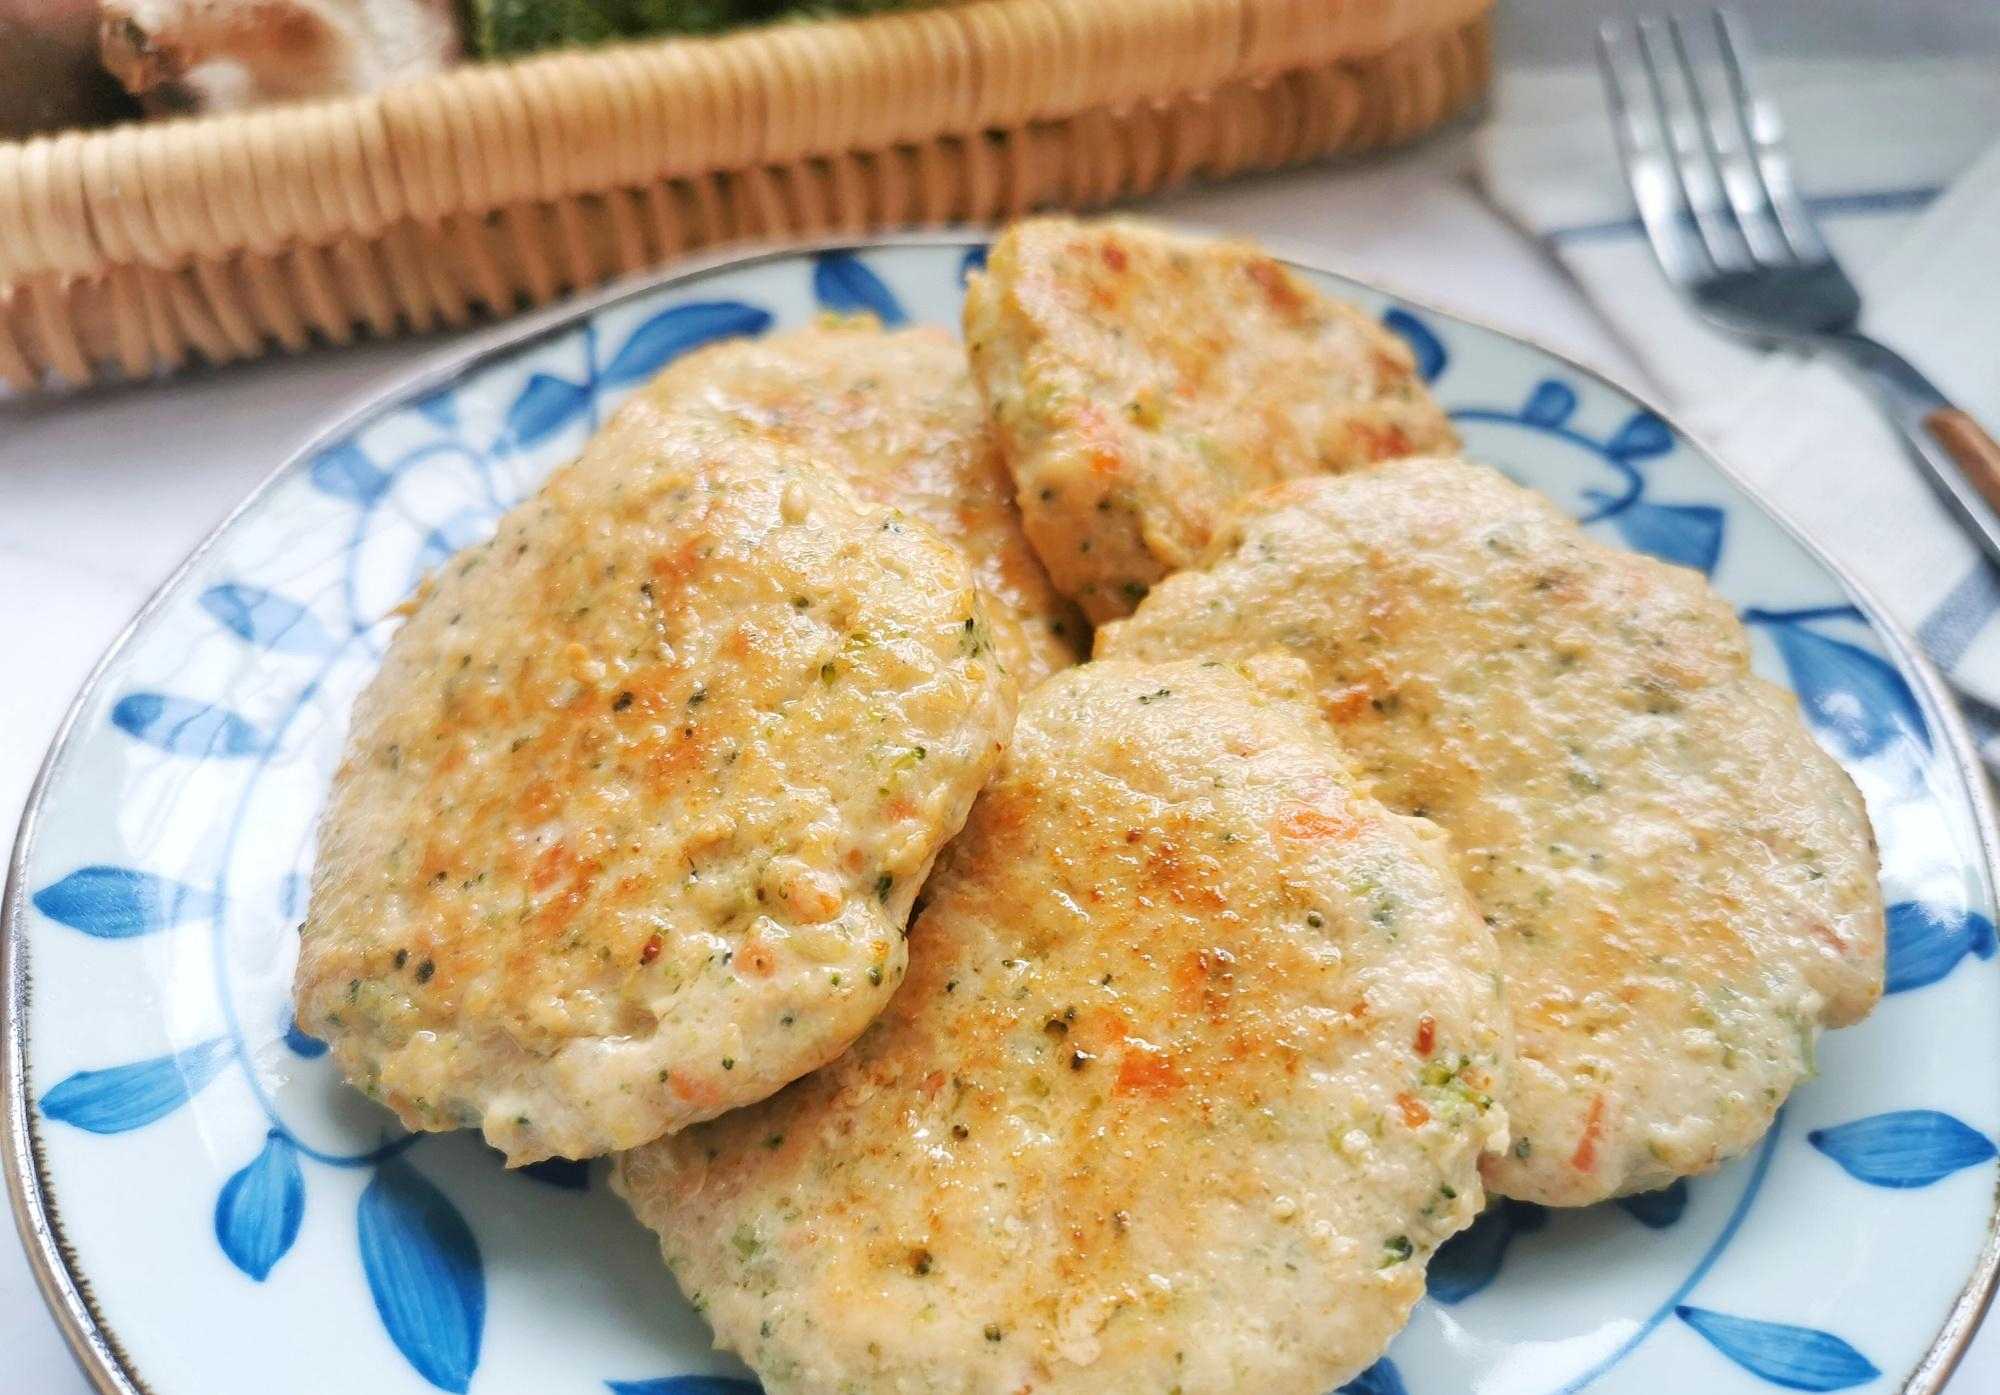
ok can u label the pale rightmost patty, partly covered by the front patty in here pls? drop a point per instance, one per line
(1681, 880)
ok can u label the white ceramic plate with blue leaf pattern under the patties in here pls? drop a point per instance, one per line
(215, 1214)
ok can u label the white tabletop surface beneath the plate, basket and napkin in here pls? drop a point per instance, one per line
(101, 497)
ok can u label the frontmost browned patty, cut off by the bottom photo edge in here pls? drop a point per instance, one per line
(1191, 1074)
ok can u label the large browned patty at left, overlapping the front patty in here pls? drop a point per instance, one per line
(633, 816)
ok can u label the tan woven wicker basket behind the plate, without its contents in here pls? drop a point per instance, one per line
(501, 187)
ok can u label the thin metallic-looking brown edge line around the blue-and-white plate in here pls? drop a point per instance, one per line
(67, 1290)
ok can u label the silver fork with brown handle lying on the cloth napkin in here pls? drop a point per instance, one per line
(1705, 157)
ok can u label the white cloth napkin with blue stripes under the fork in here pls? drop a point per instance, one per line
(1891, 159)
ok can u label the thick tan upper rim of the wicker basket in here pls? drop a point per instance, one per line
(403, 151)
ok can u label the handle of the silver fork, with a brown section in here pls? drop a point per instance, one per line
(1957, 455)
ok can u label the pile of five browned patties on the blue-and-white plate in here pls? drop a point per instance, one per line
(1209, 1032)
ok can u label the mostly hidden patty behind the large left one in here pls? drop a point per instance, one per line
(895, 417)
